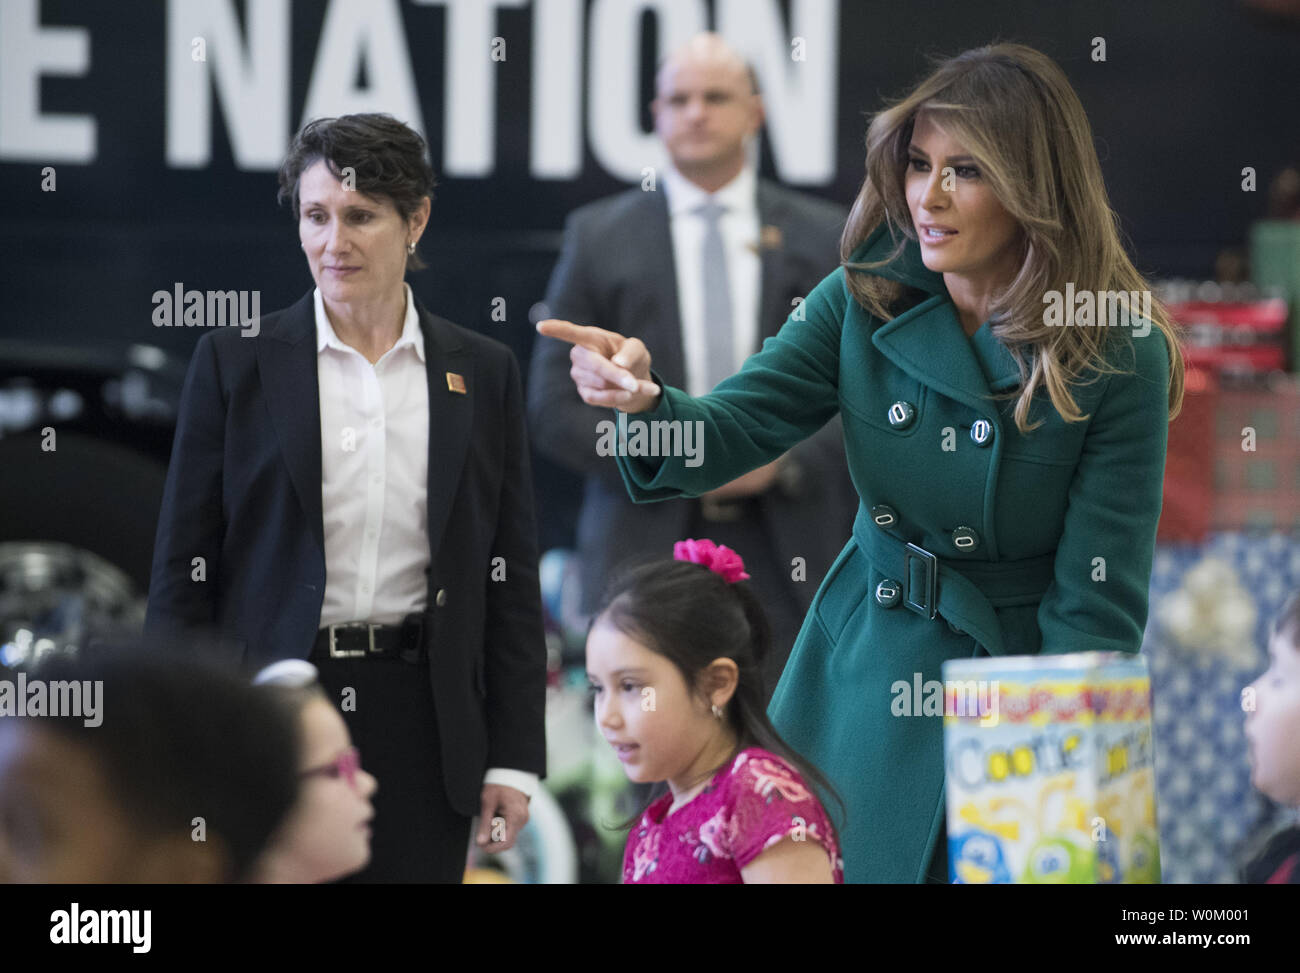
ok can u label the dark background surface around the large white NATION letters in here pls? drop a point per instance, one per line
(1191, 93)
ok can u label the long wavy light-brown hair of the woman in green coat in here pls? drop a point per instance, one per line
(1016, 115)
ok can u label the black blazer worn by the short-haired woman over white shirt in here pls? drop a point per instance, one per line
(244, 492)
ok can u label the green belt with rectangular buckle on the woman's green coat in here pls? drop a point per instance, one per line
(965, 593)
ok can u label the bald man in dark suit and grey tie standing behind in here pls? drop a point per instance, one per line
(703, 288)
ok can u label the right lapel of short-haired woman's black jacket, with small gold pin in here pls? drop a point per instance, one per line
(450, 418)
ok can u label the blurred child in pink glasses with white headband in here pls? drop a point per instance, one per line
(327, 834)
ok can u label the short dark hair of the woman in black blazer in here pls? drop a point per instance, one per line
(387, 157)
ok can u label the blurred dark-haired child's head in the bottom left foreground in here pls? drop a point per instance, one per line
(114, 801)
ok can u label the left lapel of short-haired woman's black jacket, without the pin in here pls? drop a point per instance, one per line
(288, 369)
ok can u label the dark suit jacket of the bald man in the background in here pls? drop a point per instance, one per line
(617, 271)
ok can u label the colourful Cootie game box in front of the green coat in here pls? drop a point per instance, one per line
(1050, 771)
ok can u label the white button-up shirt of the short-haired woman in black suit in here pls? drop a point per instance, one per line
(375, 483)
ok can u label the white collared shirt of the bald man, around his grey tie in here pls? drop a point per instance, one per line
(740, 230)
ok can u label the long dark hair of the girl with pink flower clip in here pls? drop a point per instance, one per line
(692, 616)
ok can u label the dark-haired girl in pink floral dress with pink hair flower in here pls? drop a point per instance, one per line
(675, 663)
